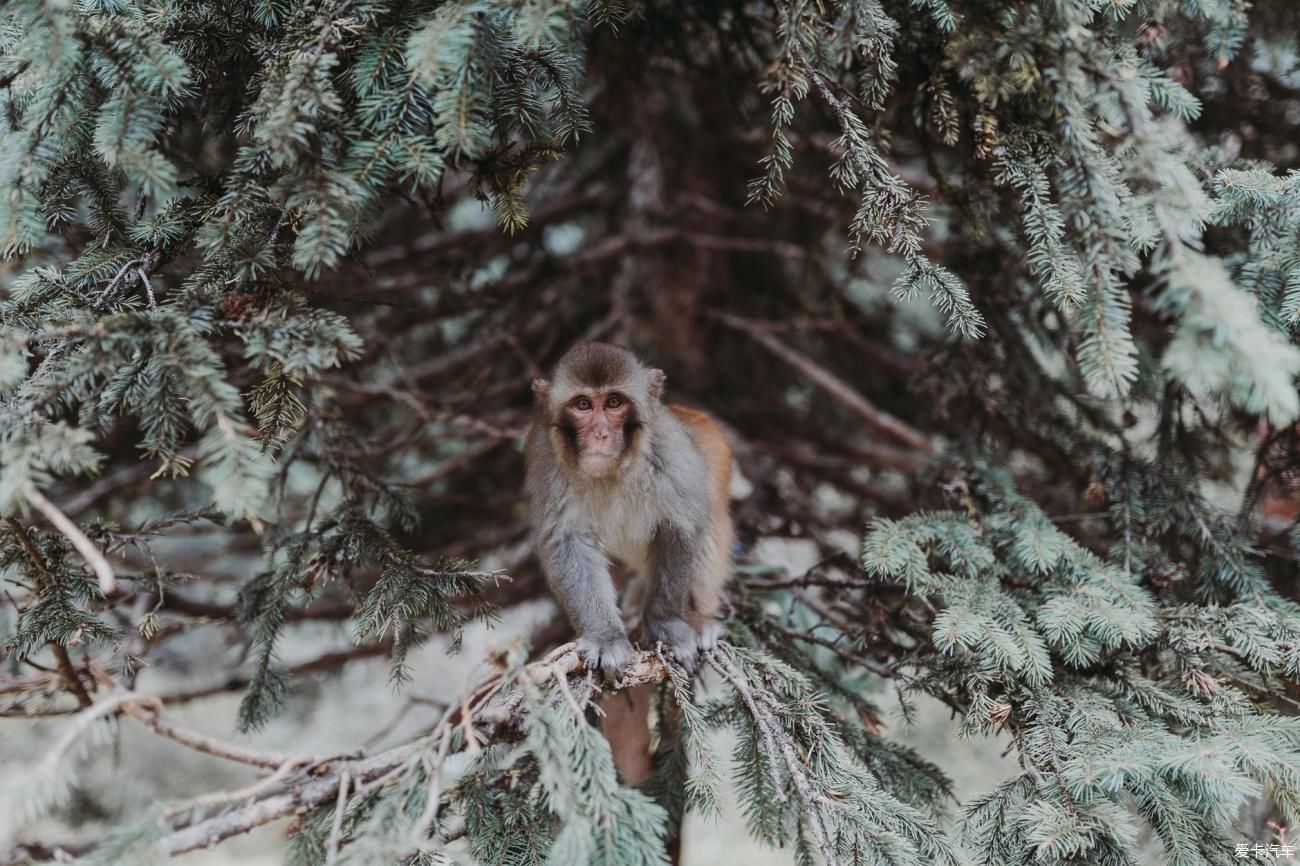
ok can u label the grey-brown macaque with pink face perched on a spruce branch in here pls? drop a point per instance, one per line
(616, 473)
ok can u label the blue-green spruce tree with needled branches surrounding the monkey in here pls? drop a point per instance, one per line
(1013, 285)
